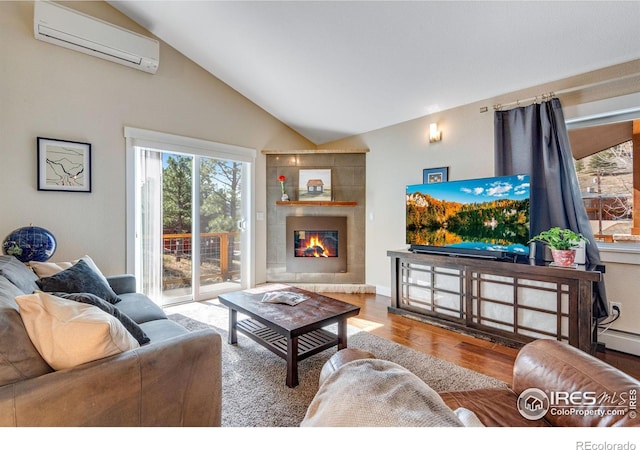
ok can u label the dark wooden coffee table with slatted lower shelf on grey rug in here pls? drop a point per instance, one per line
(291, 332)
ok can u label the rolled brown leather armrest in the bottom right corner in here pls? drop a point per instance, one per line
(554, 366)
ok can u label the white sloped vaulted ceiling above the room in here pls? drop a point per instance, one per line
(332, 69)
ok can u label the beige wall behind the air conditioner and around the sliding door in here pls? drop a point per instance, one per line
(53, 92)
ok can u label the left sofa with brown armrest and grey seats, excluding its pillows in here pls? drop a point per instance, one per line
(174, 380)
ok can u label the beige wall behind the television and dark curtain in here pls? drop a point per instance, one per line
(397, 155)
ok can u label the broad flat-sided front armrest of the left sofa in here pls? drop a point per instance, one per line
(177, 382)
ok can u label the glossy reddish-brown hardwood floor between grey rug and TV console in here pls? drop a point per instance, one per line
(476, 354)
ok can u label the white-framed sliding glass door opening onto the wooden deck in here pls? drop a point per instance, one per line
(192, 238)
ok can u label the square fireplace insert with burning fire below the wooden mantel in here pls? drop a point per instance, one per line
(316, 244)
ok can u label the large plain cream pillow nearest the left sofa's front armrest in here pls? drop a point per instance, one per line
(67, 333)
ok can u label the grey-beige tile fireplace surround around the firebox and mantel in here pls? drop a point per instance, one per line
(348, 184)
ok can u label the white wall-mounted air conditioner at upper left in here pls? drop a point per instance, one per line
(68, 28)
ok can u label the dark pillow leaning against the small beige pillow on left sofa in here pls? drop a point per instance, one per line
(79, 278)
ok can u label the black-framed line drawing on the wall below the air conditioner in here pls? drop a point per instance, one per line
(64, 165)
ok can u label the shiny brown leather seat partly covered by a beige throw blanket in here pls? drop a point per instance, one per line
(581, 391)
